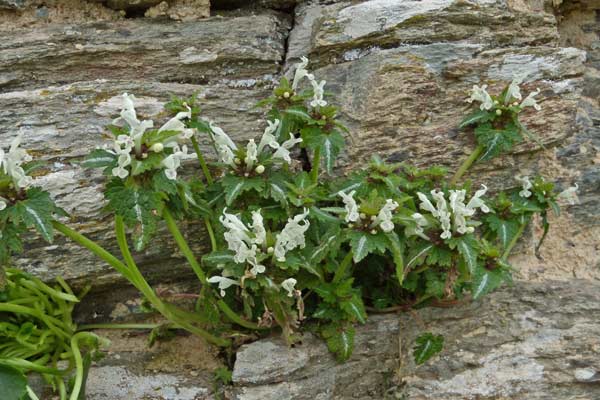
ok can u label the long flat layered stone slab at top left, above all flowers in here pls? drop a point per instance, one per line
(216, 49)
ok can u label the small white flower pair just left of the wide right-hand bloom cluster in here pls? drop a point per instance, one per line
(381, 220)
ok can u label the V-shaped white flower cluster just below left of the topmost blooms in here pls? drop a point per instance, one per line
(248, 160)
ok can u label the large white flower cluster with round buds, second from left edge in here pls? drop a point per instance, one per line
(134, 143)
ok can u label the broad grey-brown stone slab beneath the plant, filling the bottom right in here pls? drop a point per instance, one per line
(533, 341)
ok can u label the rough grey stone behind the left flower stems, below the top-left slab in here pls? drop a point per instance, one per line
(69, 122)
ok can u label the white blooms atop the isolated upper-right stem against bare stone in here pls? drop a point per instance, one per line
(511, 97)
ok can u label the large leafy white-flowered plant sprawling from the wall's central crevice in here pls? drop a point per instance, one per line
(294, 244)
